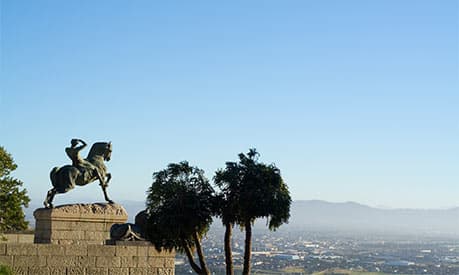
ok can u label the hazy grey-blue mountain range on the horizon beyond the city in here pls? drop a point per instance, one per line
(317, 215)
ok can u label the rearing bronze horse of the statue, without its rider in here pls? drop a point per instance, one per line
(66, 177)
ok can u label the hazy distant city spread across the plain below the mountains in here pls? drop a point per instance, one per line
(305, 252)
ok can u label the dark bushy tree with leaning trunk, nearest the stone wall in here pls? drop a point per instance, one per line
(180, 207)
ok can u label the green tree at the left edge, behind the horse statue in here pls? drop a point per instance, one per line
(12, 196)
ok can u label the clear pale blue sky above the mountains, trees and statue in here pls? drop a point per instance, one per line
(352, 100)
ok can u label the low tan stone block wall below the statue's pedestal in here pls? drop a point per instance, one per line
(85, 259)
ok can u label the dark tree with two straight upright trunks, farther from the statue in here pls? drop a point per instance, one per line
(251, 190)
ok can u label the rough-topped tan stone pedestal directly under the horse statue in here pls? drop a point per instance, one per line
(77, 223)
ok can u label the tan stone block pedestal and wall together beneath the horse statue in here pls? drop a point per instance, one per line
(70, 240)
